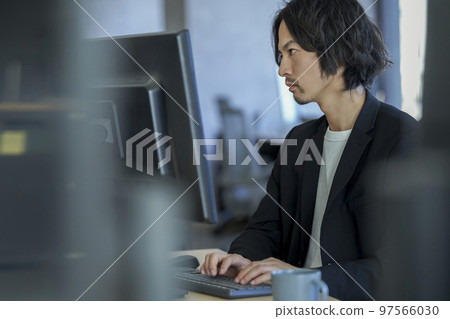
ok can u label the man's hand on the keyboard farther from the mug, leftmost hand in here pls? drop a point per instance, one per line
(223, 264)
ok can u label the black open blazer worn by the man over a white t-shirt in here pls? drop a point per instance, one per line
(380, 134)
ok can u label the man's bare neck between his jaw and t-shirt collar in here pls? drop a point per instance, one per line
(342, 108)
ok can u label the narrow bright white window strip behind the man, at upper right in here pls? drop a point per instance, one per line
(413, 16)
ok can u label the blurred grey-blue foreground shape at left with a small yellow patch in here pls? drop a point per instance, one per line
(63, 222)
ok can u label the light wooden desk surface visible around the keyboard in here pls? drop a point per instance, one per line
(195, 296)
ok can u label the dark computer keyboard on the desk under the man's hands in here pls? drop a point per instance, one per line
(219, 286)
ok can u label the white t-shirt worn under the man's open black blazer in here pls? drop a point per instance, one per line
(333, 146)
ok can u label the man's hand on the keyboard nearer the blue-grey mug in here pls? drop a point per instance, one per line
(260, 271)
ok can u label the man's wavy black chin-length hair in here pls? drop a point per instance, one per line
(316, 24)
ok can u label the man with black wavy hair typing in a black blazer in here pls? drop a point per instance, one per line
(318, 216)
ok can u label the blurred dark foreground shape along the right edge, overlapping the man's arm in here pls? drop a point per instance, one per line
(416, 196)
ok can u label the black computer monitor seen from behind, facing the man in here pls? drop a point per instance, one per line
(146, 110)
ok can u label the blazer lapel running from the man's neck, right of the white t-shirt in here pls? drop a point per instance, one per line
(356, 144)
